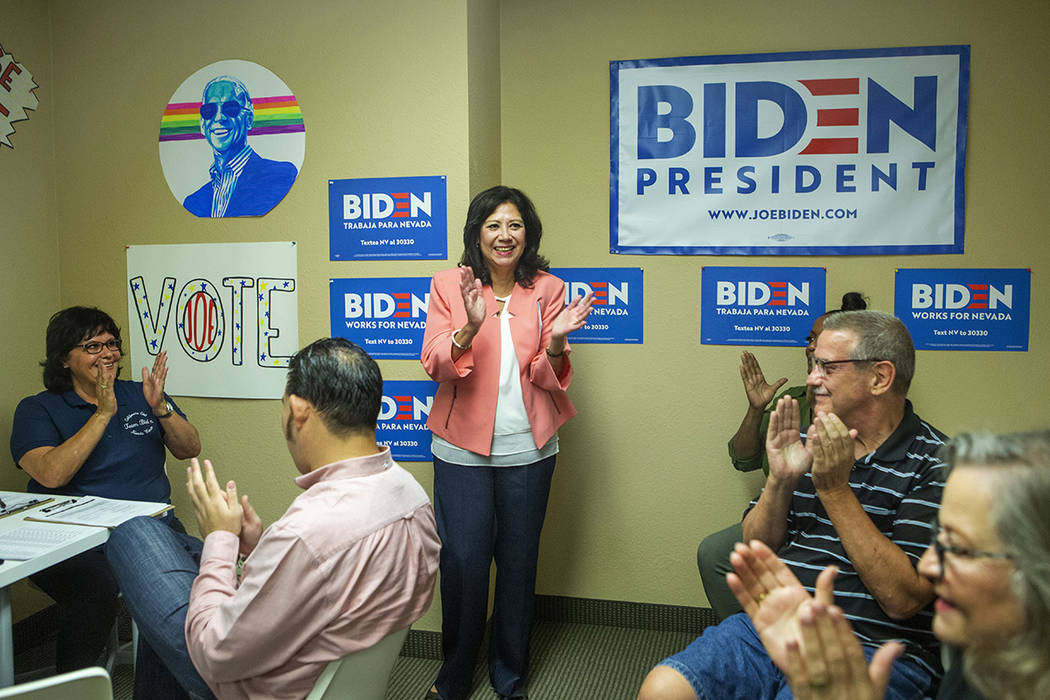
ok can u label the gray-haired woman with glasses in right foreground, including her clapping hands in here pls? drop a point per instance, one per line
(990, 563)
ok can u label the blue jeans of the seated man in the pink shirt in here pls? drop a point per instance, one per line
(155, 566)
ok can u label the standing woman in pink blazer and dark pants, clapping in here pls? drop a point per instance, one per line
(496, 342)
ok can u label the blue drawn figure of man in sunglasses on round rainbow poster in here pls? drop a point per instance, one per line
(241, 182)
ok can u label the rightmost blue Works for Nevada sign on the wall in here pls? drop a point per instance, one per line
(977, 310)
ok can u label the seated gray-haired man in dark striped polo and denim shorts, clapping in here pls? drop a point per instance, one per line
(863, 498)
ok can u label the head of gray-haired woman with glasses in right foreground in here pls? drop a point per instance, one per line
(992, 563)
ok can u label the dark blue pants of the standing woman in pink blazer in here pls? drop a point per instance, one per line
(486, 514)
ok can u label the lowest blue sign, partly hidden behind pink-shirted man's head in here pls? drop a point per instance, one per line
(403, 419)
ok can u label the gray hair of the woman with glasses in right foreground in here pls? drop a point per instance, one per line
(1018, 668)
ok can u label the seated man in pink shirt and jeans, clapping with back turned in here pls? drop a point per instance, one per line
(353, 559)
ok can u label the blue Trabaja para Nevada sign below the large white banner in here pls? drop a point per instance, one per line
(760, 306)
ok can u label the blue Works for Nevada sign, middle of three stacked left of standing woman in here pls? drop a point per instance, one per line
(384, 315)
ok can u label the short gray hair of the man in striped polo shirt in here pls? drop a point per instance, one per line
(880, 336)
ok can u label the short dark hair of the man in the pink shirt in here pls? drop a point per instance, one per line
(342, 383)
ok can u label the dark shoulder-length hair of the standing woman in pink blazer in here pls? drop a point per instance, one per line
(481, 208)
